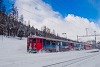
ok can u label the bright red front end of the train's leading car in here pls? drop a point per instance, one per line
(34, 44)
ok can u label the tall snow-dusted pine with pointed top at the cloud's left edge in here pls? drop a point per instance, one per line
(12, 23)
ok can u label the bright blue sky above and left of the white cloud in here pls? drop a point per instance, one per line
(84, 8)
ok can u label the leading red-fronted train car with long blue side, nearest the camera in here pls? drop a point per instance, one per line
(36, 44)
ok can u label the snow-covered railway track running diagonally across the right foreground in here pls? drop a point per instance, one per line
(70, 62)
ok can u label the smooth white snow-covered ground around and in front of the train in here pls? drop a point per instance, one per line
(13, 54)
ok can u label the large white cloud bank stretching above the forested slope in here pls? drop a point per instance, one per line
(40, 14)
